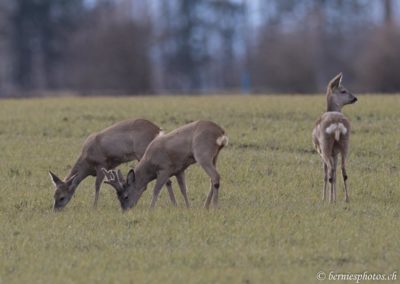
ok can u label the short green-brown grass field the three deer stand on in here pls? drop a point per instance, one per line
(271, 227)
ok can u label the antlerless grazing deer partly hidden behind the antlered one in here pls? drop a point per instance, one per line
(122, 142)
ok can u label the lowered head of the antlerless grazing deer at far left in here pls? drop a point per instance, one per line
(64, 190)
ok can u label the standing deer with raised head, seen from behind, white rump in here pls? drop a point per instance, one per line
(331, 135)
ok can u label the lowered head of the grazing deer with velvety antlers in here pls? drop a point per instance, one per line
(127, 193)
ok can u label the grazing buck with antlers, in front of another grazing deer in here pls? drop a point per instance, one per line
(170, 155)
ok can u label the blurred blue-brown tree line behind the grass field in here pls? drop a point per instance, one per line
(155, 46)
